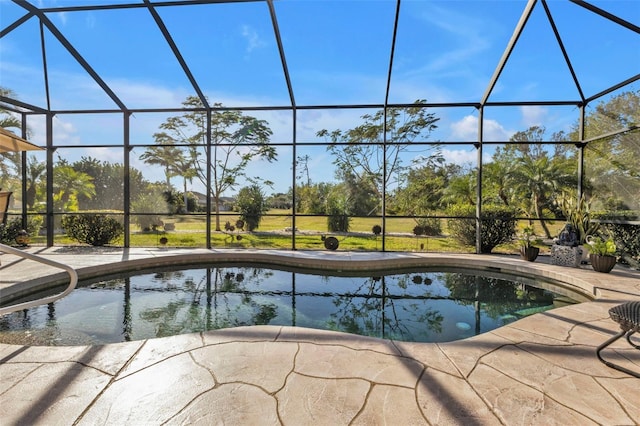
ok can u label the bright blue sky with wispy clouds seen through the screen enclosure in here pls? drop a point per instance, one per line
(337, 52)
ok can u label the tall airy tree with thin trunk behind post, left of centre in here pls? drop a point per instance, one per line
(236, 140)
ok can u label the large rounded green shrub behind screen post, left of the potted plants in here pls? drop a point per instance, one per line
(498, 226)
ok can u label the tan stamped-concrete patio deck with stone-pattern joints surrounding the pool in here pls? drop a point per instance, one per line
(538, 370)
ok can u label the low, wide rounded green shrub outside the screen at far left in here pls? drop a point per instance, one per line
(93, 229)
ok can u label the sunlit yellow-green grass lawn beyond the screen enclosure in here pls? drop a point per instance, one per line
(274, 232)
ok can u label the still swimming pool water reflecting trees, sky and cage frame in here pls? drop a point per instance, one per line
(423, 306)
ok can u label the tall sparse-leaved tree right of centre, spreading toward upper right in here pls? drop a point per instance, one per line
(360, 156)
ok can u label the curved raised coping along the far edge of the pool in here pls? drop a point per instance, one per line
(317, 261)
